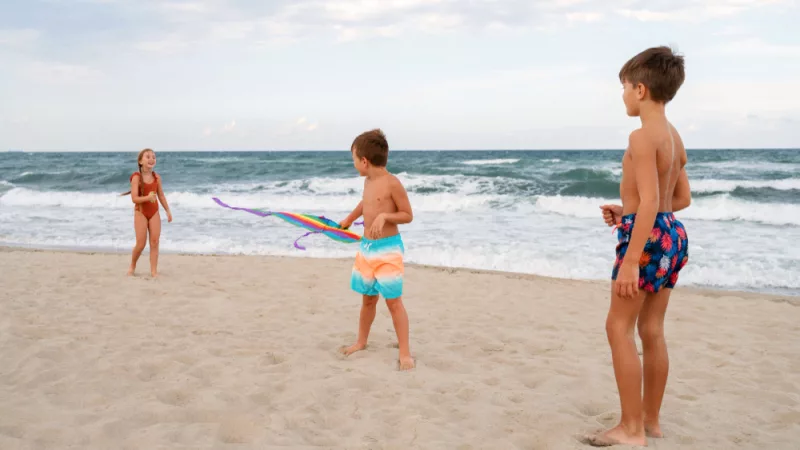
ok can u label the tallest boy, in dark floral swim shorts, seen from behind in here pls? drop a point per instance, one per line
(651, 253)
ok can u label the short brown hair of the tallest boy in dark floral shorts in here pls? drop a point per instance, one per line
(659, 69)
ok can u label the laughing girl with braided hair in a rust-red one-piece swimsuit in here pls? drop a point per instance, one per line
(146, 191)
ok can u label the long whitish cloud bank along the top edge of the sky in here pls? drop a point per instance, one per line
(199, 23)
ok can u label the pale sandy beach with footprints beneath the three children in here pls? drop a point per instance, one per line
(241, 352)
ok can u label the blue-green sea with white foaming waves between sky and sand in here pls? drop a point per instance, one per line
(534, 212)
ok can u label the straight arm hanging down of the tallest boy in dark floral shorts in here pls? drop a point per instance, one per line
(643, 155)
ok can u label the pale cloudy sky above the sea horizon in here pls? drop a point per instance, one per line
(120, 75)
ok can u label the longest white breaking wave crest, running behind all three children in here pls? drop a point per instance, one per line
(342, 195)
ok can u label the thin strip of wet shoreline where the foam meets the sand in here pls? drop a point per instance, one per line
(706, 291)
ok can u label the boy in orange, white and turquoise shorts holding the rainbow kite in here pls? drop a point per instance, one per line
(378, 267)
